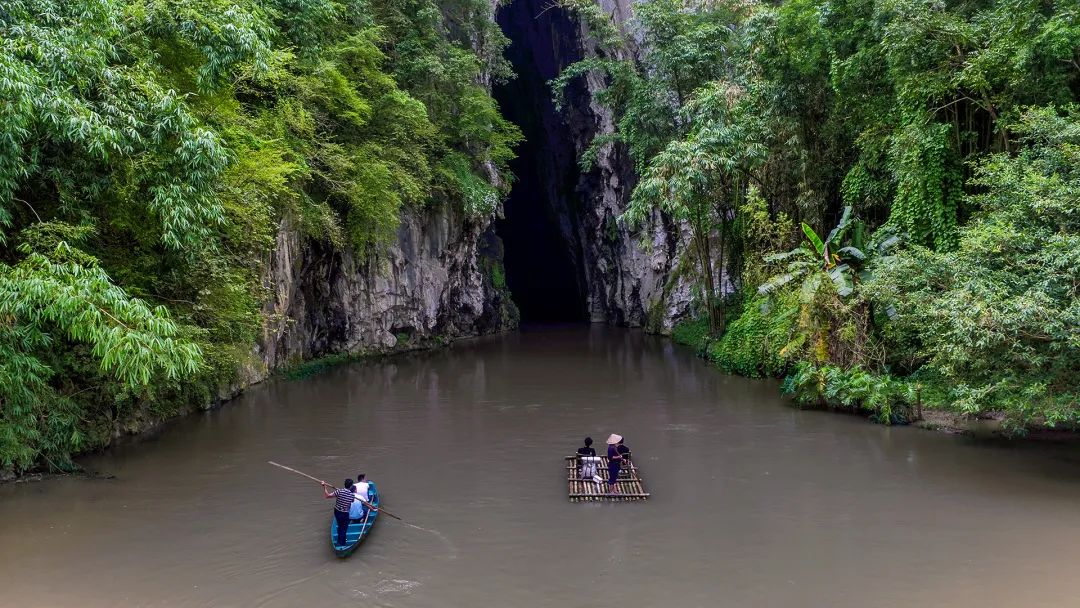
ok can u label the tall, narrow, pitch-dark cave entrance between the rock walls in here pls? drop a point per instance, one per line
(541, 229)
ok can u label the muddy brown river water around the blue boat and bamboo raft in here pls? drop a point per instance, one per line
(754, 504)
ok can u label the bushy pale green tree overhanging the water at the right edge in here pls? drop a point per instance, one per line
(995, 321)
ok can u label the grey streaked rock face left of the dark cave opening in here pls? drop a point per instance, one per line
(439, 282)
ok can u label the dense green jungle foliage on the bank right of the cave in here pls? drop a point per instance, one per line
(892, 186)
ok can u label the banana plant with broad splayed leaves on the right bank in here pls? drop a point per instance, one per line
(816, 259)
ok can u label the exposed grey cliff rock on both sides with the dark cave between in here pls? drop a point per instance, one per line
(557, 252)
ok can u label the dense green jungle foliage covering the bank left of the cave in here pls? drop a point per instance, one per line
(150, 150)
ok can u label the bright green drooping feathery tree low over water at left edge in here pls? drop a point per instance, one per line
(58, 295)
